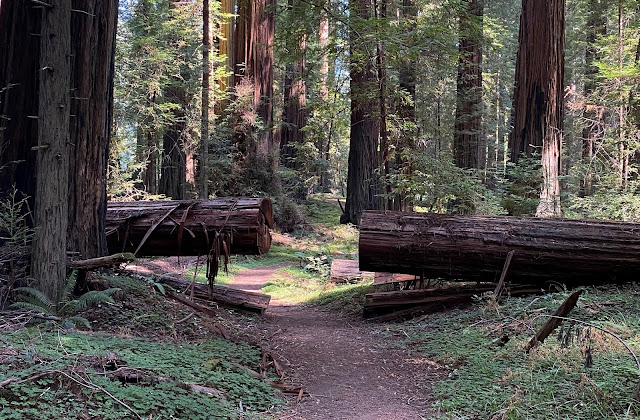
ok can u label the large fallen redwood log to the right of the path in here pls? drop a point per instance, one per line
(475, 248)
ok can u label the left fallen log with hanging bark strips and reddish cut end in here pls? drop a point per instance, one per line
(170, 228)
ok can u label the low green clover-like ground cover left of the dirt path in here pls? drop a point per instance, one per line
(82, 385)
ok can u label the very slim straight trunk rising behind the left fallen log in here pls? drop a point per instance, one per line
(206, 77)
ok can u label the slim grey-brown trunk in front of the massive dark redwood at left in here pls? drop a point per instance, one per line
(49, 255)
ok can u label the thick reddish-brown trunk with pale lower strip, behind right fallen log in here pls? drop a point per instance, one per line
(538, 95)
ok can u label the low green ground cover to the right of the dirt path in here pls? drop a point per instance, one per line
(486, 380)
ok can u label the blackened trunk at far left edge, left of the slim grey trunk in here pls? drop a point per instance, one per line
(19, 74)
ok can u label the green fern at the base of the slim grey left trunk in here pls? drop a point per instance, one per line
(32, 299)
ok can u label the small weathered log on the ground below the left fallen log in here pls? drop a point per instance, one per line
(225, 297)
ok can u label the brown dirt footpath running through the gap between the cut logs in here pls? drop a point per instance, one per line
(346, 365)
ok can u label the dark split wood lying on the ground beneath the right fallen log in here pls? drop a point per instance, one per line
(406, 303)
